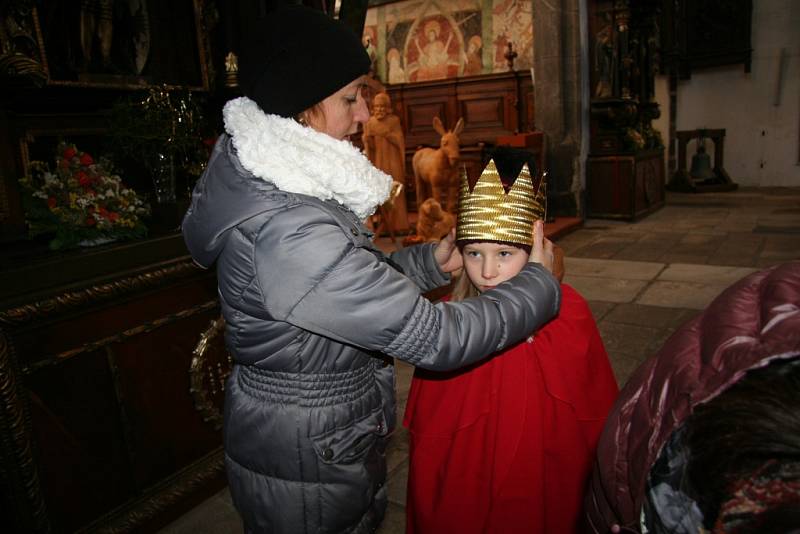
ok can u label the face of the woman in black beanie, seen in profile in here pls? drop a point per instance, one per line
(342, 111)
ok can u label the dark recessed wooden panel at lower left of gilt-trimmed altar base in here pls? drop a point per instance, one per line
(80, 446)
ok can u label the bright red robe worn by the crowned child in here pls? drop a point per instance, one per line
(506, 445)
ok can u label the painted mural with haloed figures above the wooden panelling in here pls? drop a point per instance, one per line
(420, 40)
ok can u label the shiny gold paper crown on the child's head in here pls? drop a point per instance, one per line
(488, 213)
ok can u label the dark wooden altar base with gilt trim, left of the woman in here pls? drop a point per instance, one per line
(101, 430)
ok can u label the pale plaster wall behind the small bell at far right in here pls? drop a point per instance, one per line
(760, 110)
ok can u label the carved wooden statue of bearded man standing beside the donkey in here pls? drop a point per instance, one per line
(385, 147)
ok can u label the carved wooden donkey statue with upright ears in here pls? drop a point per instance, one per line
(436, 170)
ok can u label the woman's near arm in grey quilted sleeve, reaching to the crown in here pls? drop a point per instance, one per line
(348, 294)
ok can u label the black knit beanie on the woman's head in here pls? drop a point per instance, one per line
(297, 57)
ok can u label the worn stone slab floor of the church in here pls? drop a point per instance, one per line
(642, 280)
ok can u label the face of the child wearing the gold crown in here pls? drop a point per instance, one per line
(489, 264)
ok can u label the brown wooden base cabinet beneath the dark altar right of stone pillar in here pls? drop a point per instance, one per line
(625, 186)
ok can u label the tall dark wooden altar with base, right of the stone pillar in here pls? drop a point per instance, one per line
(625, 167)
